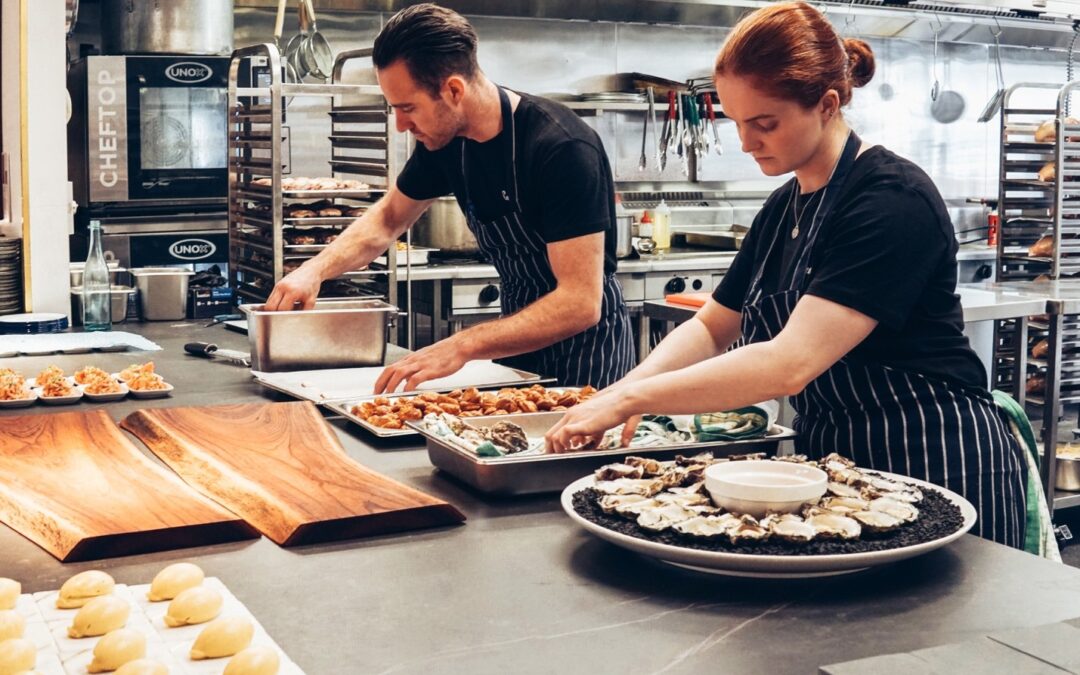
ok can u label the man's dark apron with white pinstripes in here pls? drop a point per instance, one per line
(601, 355)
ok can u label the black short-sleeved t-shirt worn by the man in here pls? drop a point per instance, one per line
(564, 179)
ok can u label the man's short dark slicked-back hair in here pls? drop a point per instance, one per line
(433, 42)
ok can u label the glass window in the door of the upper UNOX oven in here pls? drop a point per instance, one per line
(183, 128)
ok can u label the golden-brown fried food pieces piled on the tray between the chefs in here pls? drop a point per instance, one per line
(393, 413)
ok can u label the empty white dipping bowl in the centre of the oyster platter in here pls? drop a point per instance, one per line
(760, 488)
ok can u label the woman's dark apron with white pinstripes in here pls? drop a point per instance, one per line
(890, 420)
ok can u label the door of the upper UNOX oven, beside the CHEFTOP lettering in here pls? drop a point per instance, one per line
(177, 124)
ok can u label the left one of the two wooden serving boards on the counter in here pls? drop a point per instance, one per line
(76, 487)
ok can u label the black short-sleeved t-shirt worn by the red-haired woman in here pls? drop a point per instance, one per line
(888, 251)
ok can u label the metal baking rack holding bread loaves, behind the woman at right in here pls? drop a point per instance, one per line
(1039, 209)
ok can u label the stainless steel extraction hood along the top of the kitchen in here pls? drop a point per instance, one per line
(1046, 24)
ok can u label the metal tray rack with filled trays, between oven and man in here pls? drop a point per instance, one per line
(276, 221)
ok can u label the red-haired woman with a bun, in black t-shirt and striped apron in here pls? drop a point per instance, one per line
(843, 293)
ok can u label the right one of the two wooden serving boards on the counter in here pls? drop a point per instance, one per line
(285, 471)
